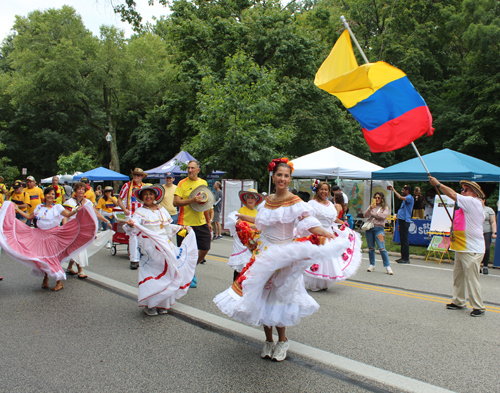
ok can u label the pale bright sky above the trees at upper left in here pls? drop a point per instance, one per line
(94, 13)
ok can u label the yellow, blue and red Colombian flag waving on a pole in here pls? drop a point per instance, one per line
(378, 95)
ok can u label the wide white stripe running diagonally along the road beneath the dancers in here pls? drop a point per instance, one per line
(319, 355)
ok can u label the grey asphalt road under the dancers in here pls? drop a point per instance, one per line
(374, 332)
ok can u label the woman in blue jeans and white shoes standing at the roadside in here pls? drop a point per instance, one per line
(377, 212)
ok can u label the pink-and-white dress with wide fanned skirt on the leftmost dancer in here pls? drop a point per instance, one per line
(44, 250)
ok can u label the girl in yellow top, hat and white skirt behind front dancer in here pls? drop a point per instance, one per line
(241, 254)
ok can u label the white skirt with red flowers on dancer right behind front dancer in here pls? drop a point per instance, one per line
(336, 267)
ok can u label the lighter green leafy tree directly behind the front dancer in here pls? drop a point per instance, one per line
(237, 128)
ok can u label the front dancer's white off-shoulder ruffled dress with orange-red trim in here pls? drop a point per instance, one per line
(271, 290)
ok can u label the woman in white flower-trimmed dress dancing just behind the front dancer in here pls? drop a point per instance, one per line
(323, 273)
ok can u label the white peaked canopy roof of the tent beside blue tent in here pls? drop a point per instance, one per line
(332, 163)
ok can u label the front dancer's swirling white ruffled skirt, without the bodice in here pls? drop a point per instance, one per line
(273, 292)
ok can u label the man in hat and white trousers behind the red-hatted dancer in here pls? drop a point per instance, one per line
(131, 204)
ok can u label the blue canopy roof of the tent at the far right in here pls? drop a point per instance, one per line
(445, 165)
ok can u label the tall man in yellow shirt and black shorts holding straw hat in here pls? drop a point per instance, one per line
(199, 221)
